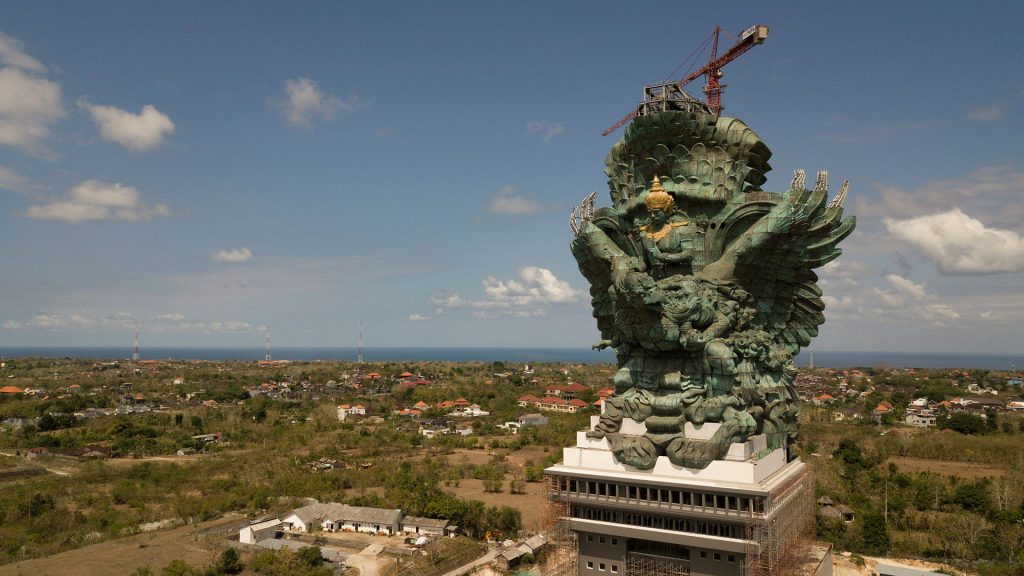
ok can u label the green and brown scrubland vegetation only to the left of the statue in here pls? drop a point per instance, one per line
(262, 460)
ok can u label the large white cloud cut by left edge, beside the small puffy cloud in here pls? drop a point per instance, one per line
(28, 107)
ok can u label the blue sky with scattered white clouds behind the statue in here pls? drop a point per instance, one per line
(212, 170)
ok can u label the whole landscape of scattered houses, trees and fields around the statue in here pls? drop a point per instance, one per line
(268, 459)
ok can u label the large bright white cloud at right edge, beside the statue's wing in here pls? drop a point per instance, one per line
(960, 244)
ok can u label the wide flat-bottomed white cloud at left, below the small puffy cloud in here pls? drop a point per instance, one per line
(94, 200)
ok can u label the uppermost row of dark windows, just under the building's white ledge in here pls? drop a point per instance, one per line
(661, 496)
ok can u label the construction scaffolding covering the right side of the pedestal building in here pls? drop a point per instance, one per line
(777, 539)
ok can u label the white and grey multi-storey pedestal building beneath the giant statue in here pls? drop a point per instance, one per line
(747, 514)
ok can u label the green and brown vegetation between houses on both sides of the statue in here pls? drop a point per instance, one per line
(955, 492)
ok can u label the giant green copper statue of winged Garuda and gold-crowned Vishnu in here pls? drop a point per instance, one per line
(704, 285)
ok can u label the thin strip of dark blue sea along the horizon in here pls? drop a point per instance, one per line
(823, 359)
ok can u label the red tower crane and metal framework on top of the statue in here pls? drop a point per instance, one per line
(660, 98)
